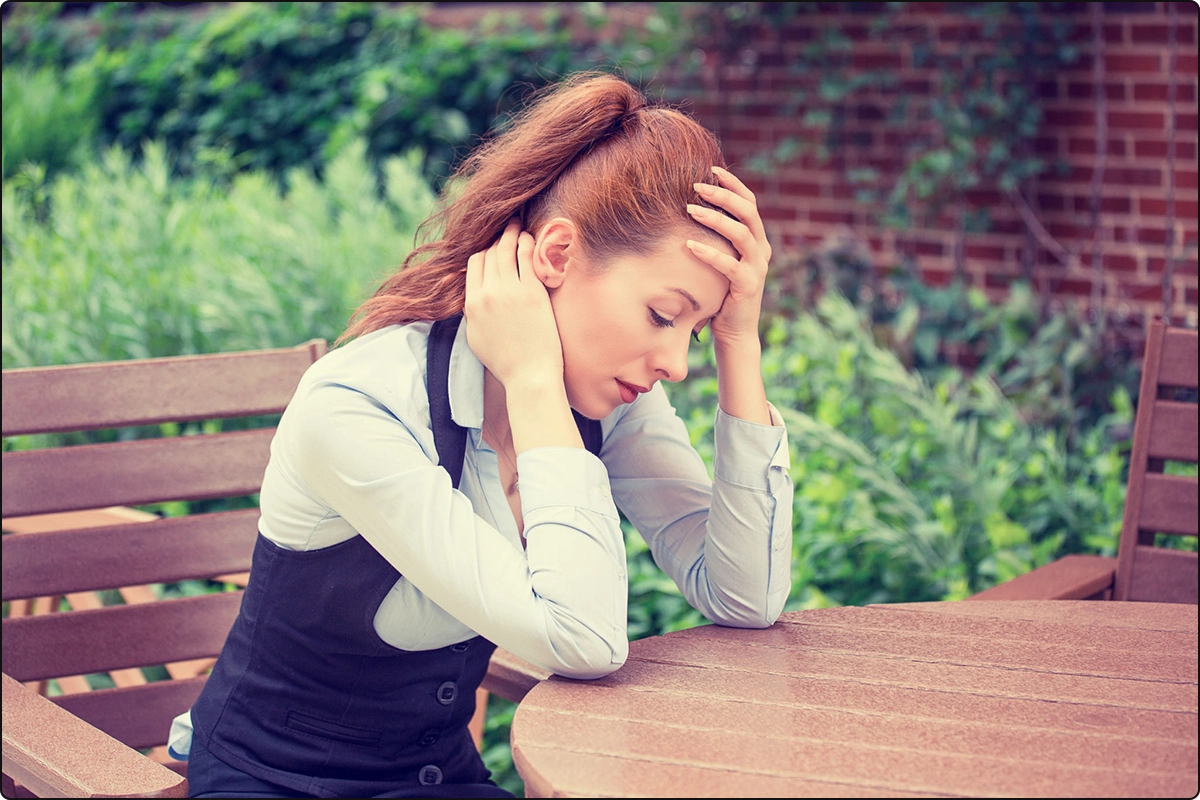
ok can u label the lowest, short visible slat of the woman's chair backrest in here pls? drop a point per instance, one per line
(139, 717)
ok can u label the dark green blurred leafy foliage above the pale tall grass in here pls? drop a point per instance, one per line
(275, 87)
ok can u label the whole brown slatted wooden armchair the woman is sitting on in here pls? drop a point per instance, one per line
(81, 542)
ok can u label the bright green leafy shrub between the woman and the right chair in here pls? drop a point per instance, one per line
(909, 491)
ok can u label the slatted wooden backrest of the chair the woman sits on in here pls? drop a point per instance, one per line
(129, 630)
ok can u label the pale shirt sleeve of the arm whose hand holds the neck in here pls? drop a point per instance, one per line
(561, 605)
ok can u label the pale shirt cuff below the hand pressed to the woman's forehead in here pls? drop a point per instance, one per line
(746, 453)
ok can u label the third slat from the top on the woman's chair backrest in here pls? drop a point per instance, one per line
(200, 546)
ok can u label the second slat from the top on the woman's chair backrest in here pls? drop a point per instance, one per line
(135, 473)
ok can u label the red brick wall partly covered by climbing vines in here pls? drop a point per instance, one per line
(807, 202)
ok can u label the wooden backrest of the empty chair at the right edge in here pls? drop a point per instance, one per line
(1156, 502)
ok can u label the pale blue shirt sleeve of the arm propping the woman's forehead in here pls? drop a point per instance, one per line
(725, 542)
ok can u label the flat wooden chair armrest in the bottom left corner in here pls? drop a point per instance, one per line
(57, 755)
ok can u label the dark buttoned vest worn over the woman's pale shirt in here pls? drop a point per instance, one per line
(307, 695)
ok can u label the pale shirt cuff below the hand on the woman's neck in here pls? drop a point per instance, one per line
(565, 477)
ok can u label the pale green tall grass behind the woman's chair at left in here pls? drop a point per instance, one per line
(121, 262)
